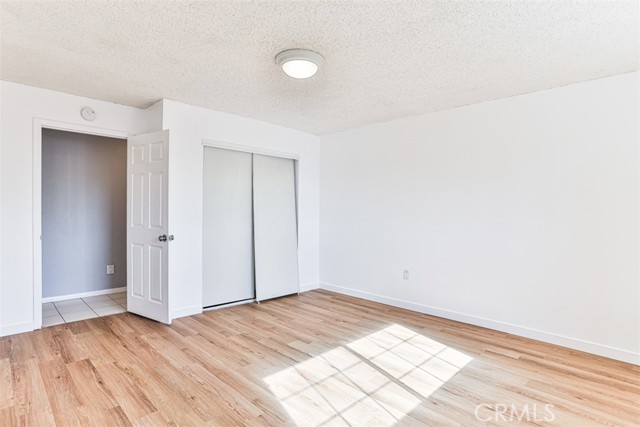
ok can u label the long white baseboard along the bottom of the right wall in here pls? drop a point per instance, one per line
(549, 337)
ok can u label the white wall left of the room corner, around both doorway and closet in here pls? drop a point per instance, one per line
(20, 105)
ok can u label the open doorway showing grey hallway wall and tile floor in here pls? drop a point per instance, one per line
(83, 211)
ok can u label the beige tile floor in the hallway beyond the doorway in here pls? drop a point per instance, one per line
(55, 313)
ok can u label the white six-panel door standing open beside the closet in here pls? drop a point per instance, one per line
(148, 232)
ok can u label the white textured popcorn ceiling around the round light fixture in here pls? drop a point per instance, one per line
(384, 59)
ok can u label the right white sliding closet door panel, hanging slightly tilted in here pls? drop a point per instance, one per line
(275, 228)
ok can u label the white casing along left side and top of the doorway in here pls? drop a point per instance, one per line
(38, 125)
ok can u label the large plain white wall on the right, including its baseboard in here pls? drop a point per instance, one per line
(519, 214)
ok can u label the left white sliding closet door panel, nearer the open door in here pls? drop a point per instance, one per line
(228, 227)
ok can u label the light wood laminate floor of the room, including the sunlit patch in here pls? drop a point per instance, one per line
(319, 358)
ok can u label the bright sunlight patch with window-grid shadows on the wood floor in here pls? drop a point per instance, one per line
(377, 379)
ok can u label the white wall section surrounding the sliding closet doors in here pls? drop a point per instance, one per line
(188, 127)
